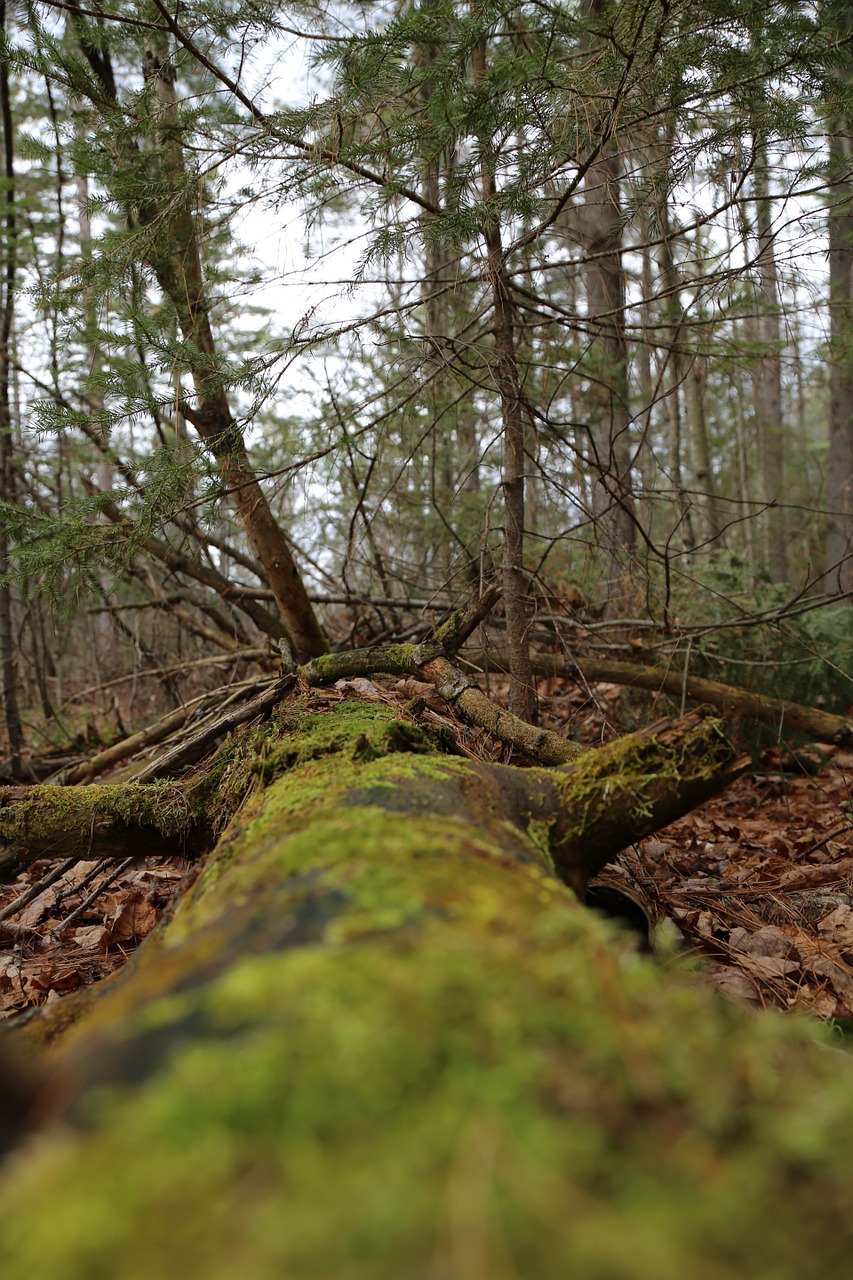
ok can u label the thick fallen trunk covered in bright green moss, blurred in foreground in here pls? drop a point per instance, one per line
(380, 1039)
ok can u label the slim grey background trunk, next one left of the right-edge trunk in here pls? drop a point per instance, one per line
(767, 374)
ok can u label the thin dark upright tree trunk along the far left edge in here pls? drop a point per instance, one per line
(8, 674)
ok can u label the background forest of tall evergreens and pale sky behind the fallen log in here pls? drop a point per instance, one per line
(321, 318)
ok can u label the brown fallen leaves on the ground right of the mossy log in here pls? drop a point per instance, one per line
(760, 883)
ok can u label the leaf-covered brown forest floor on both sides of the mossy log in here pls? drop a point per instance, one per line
(758, 884)
